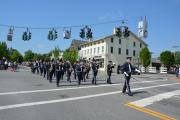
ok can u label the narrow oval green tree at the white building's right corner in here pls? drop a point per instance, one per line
(145, 57)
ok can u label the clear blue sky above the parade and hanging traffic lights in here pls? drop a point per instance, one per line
(163, 17)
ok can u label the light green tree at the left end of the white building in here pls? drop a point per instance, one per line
(70, 55)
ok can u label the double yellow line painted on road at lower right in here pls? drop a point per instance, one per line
(151, 112)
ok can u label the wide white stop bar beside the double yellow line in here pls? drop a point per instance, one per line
(150, 100)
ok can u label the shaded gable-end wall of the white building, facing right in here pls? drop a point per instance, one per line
(126, 43)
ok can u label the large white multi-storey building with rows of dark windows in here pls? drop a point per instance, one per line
(112, 48)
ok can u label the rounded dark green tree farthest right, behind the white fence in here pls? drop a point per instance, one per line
(167, 58)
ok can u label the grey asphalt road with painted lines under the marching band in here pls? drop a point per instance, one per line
(25, 96)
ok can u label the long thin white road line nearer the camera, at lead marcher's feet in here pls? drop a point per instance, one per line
(76, 98)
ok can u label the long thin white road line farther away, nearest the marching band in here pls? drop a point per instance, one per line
(72, 88)
